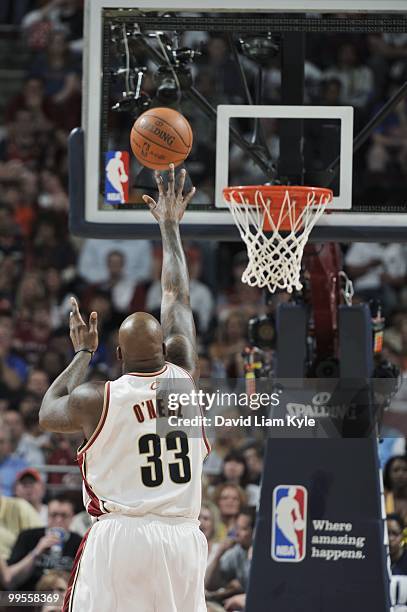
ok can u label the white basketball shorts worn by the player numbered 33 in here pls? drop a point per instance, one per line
(143, 564)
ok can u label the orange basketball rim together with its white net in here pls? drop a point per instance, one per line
(275, 222)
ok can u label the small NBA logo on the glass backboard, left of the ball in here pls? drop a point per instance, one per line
(117, 177)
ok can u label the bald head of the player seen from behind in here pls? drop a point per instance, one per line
(141, 343)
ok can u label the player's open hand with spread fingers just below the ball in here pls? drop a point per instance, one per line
(171, 203)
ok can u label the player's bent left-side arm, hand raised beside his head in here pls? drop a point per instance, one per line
(63, 407)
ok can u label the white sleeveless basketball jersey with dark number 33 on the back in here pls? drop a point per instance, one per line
(130, 465)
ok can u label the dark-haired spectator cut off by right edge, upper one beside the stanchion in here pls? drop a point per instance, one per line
(395, 483)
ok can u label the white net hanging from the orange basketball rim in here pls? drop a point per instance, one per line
(275, 259)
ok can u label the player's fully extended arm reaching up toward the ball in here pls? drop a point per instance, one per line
(176, 313)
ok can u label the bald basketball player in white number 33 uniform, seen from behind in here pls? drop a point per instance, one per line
(144, 551)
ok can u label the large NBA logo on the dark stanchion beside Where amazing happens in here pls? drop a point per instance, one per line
(289, 523)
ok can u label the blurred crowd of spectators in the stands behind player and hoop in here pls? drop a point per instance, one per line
(41, 266)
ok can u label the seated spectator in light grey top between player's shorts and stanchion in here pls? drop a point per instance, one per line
(232, 561)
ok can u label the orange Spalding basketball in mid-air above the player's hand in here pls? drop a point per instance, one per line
(161, 136)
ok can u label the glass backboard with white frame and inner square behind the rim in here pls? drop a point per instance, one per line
(232, 82)
